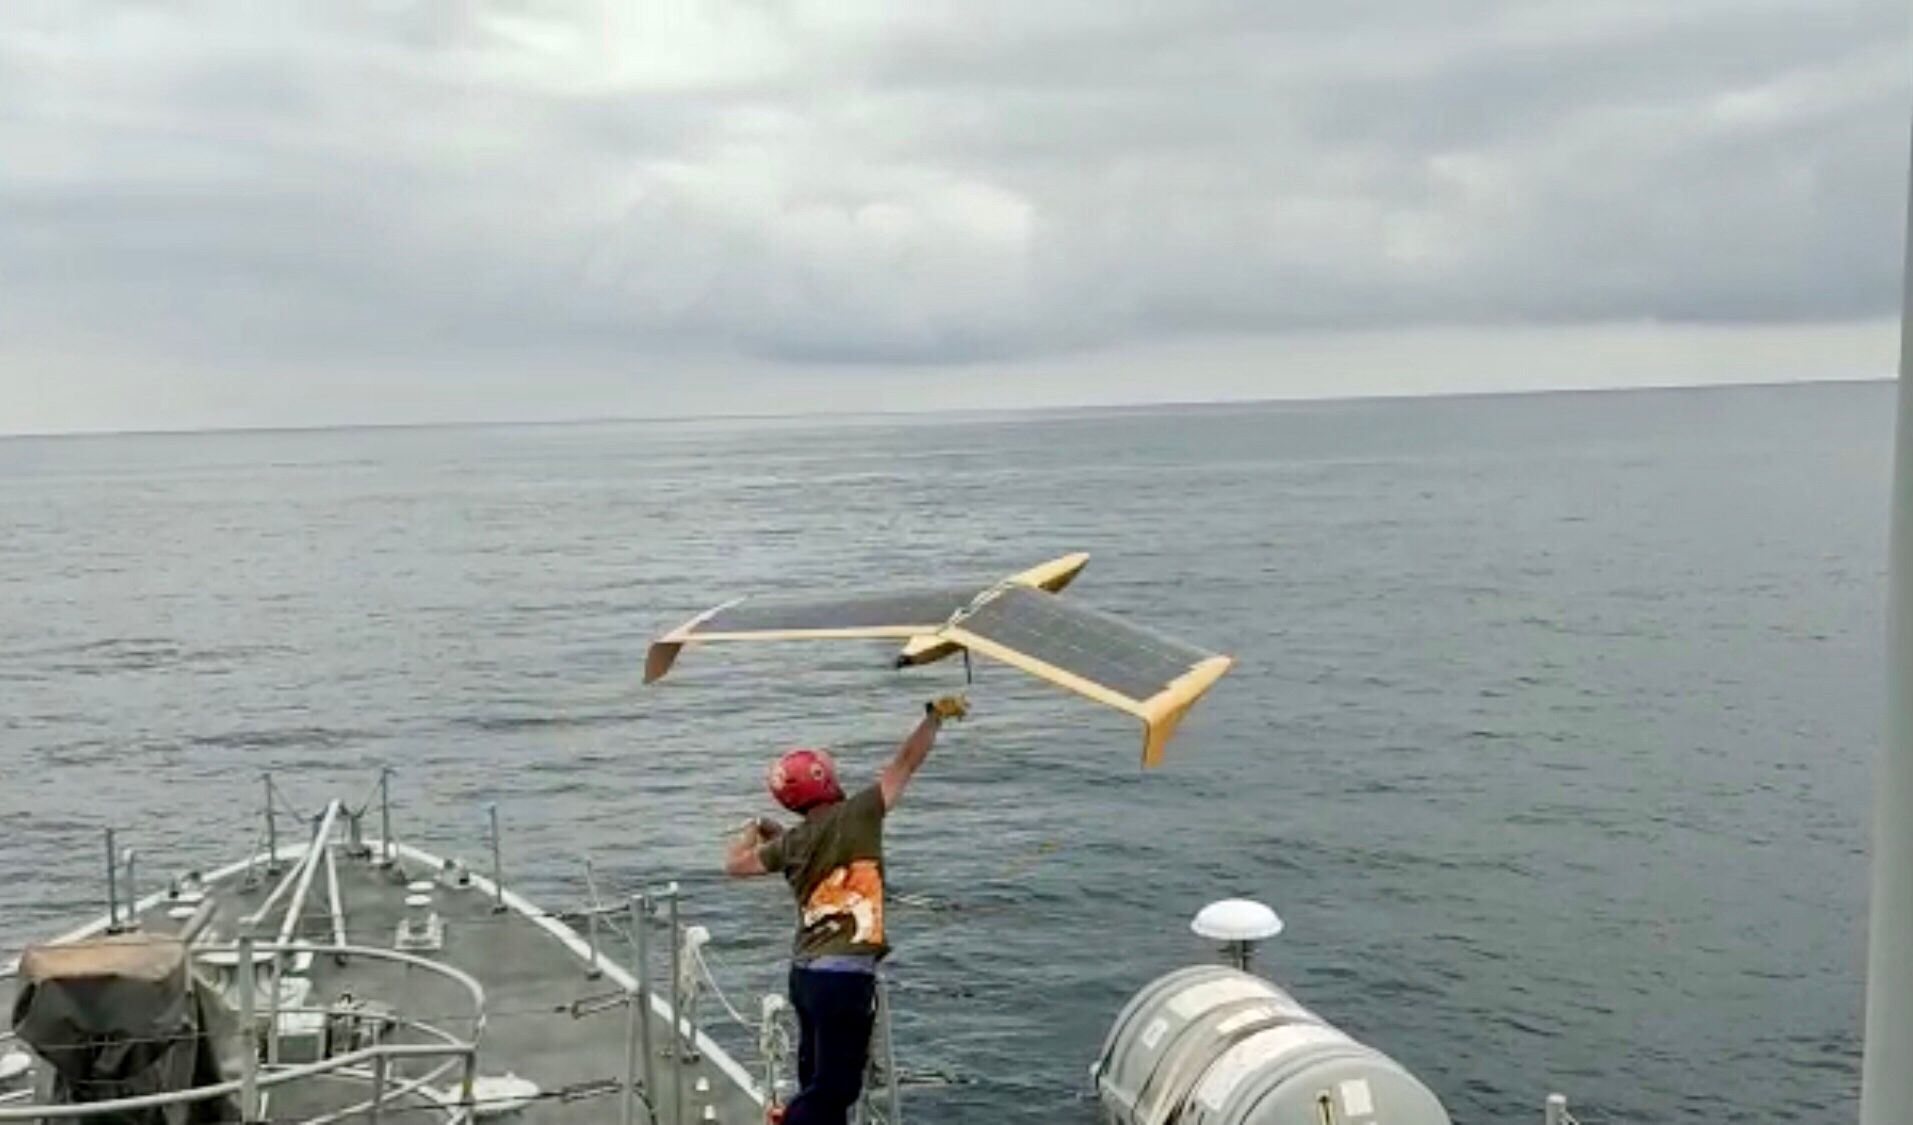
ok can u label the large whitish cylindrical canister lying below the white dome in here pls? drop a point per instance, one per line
(1212, 1046)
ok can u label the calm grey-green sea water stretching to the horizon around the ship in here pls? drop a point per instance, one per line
(1550, 734)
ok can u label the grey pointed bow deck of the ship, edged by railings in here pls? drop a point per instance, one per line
(552, 1013)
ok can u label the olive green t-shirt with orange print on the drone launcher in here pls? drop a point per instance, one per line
(835, 866)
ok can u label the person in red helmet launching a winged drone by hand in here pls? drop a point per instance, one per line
(833, 860)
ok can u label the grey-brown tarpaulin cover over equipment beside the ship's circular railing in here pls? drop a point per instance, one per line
(125, 1017)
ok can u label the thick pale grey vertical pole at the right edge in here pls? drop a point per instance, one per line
(1887, 1084)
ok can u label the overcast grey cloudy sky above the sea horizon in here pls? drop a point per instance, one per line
(347, 211)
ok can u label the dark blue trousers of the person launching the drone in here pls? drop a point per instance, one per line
(835, 1019)
